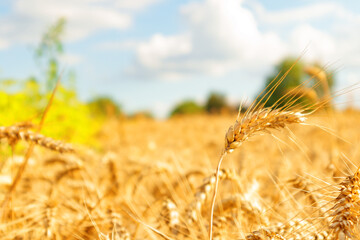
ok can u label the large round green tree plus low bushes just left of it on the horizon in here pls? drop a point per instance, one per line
(295, 80)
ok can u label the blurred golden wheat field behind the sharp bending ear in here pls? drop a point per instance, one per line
(153, 179)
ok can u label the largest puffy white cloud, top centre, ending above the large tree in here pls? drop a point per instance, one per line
(221, 36)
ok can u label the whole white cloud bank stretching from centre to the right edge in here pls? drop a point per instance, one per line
(227, 35)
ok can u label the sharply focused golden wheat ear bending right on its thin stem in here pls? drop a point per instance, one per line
(252, 123)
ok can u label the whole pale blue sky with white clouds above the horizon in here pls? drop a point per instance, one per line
(152, 54)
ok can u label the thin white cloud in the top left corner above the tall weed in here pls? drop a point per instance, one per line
(28, 18)
